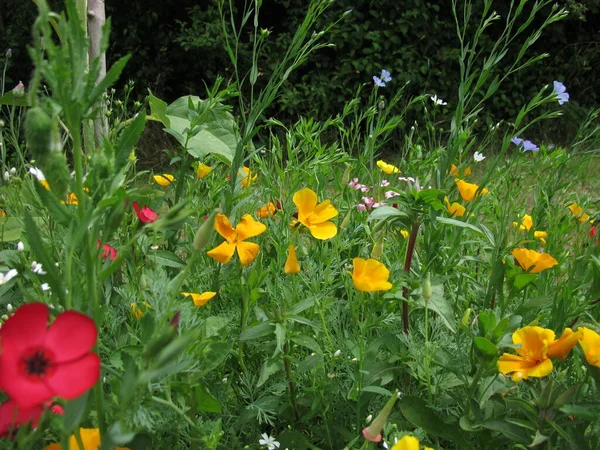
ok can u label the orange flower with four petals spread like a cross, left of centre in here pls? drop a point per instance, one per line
(247, 228)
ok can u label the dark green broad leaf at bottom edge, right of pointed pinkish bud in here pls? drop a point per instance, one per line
(419, 414)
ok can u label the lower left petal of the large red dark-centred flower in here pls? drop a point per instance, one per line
(25, 392)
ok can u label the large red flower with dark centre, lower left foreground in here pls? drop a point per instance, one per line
(39, 362)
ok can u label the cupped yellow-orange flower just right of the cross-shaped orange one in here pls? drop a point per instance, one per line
(315, 217)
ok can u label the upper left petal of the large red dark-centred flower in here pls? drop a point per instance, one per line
(26, 328)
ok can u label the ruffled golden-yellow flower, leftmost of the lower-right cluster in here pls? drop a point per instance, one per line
(532, 359)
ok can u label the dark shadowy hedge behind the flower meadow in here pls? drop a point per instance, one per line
(177, 46)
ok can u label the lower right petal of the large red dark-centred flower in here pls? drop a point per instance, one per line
(72, 379)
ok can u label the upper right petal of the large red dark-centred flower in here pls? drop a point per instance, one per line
(71, 336)
